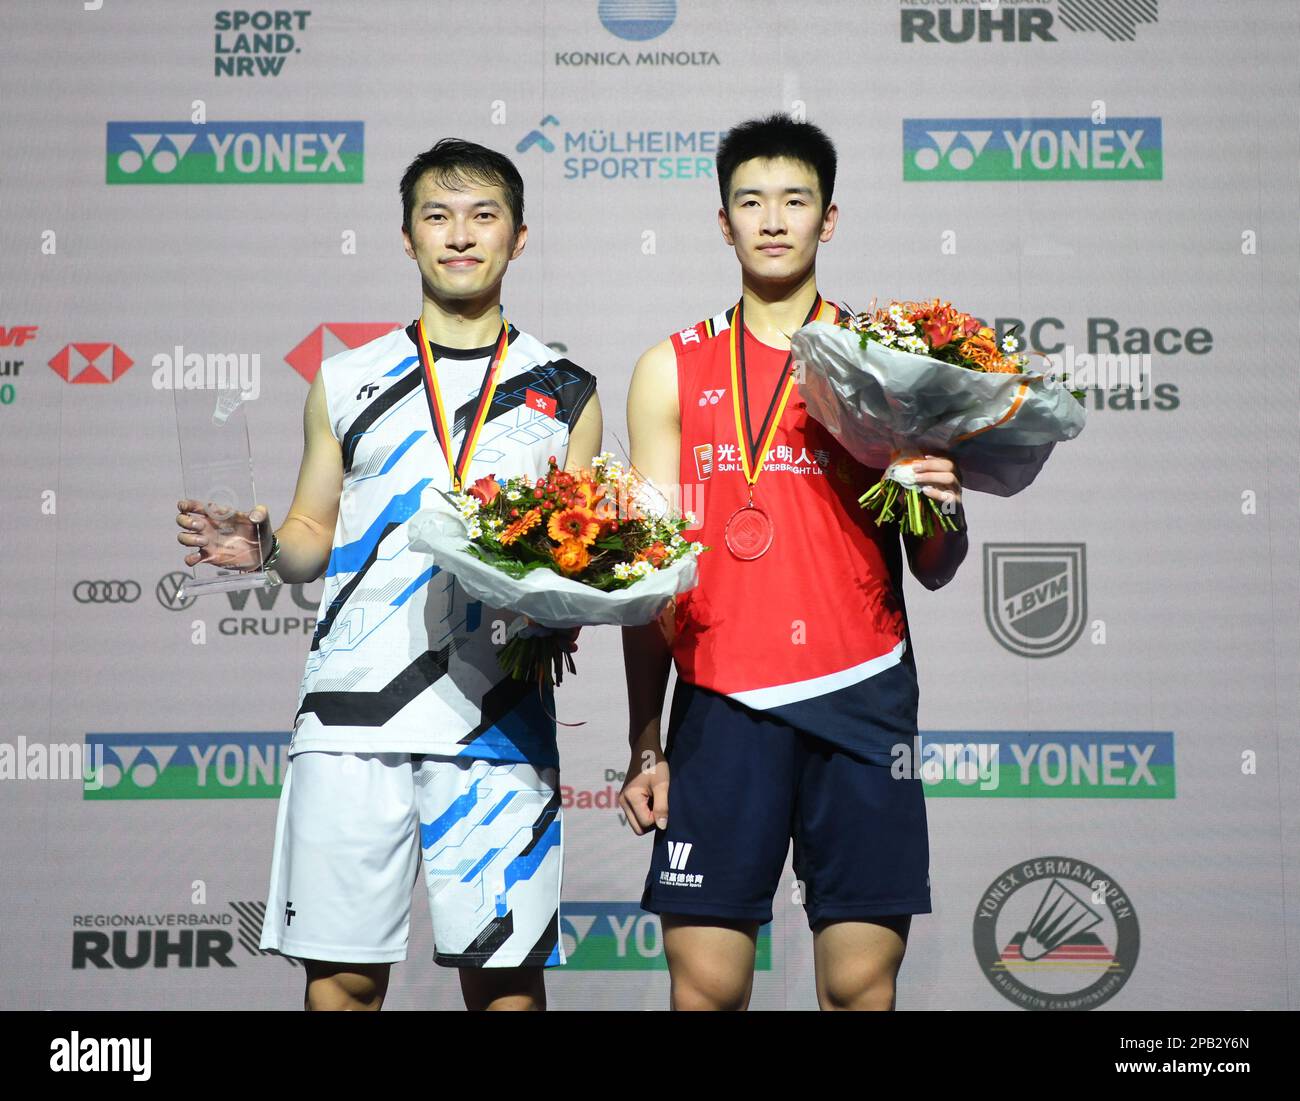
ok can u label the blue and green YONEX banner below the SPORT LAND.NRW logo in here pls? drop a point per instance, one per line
(236, 153)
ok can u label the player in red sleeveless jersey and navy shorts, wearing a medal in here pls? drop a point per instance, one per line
(796, 678)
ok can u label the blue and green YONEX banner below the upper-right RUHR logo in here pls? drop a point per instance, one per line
(959, 150)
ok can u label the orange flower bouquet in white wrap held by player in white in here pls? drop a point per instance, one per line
(599, 547)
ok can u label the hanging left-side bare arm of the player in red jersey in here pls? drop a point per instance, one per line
(655, 424)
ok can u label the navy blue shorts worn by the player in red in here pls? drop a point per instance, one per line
(743, 784)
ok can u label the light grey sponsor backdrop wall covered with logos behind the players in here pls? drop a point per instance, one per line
(1120, 648)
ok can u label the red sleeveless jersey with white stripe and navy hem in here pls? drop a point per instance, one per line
(814, 631)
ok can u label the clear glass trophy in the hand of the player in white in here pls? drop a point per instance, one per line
(216, 469)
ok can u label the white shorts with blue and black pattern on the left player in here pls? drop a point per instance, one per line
(353, 831)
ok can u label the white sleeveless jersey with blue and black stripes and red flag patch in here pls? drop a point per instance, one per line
(402, 661)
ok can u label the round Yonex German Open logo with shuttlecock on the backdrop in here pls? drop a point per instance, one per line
(1056, 933)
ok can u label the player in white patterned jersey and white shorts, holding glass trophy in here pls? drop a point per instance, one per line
(413, 752)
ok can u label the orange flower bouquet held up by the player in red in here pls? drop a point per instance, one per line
(895, 383)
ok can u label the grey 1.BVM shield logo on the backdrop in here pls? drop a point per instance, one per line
(1035, 596)
